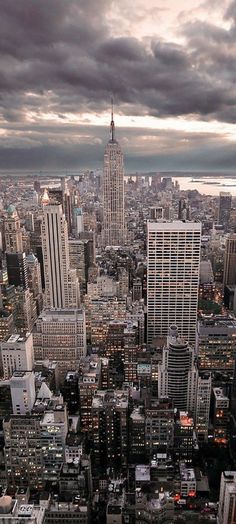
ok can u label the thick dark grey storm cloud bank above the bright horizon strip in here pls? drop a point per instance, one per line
(65, 47)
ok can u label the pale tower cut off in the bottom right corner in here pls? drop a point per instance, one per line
(227, 500)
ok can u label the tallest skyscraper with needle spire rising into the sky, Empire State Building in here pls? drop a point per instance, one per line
(113, 192)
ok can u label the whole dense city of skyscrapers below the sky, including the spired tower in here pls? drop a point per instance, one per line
(117, 349)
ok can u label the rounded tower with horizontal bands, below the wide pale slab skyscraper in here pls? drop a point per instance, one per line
(178, 374)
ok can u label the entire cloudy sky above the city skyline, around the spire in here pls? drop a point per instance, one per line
(170, 67)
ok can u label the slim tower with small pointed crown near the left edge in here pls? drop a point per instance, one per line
(13, 233)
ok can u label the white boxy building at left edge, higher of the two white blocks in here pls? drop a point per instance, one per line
(17, 354)
